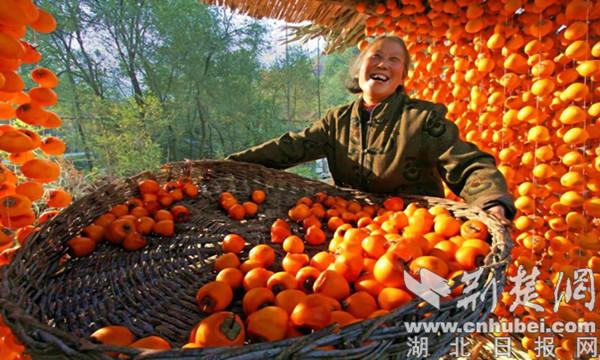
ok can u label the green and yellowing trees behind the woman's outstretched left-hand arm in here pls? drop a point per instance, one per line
(151, 81)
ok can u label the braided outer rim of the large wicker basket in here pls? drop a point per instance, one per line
(72, 345)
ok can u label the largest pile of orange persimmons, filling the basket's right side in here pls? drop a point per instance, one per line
(358, 274)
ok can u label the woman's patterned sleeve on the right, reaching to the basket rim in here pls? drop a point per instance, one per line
(468, 171)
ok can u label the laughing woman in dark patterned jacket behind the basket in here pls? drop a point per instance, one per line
(387, 142)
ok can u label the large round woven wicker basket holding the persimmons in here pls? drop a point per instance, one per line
(53, 306)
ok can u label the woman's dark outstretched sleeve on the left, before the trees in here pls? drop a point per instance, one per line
(290, 149)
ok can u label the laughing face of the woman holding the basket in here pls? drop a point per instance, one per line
(381, 70)
